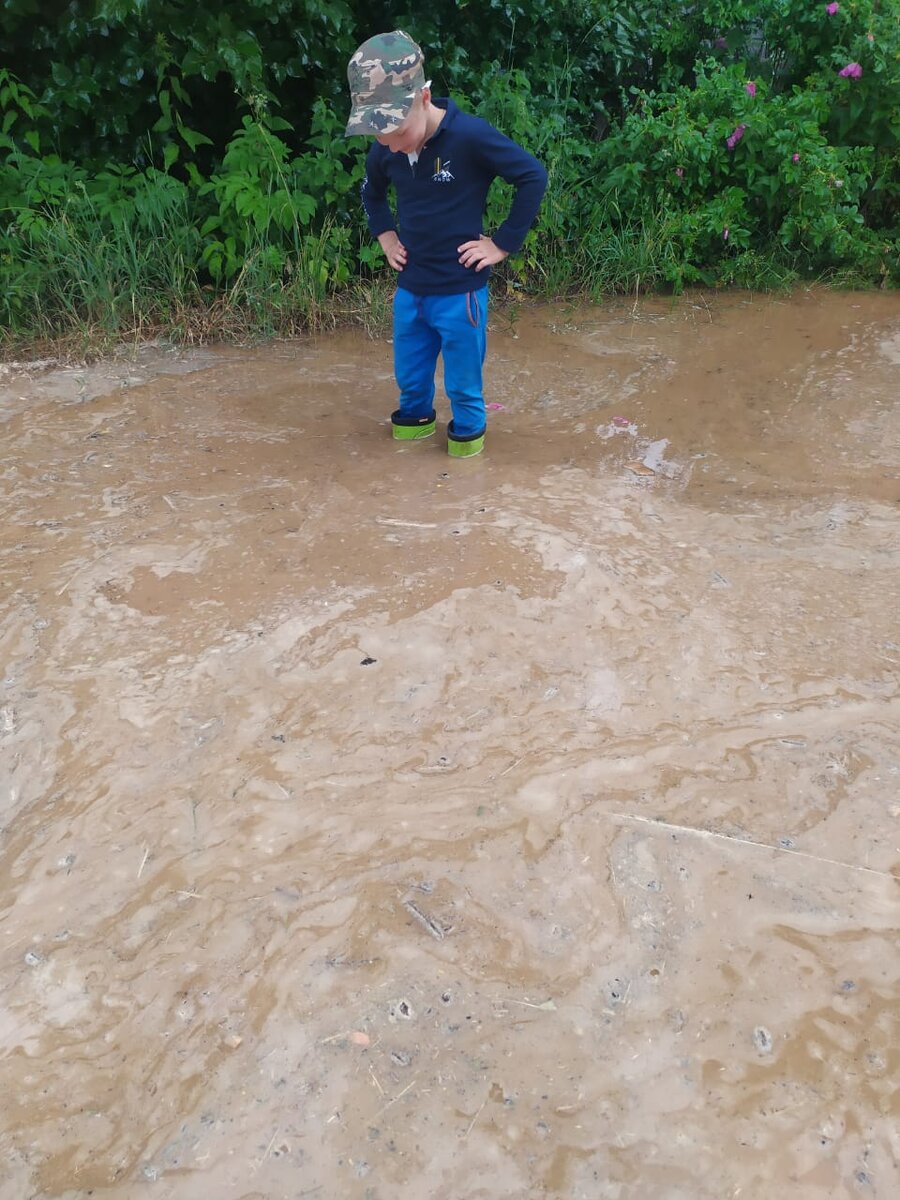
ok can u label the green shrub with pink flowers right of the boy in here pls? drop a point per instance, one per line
(740, 171)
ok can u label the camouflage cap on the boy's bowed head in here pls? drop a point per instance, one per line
(385, 76)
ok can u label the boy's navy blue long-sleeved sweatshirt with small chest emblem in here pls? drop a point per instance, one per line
(441, 200)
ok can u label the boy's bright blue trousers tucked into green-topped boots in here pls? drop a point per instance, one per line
(457, 328)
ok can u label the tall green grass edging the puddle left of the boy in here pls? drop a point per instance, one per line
(88, 280)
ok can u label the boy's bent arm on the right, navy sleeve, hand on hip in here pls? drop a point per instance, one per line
(505, 158)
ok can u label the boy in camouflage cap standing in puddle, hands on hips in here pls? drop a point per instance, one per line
(442, 164)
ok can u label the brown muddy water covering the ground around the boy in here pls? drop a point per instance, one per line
(377, 827)
